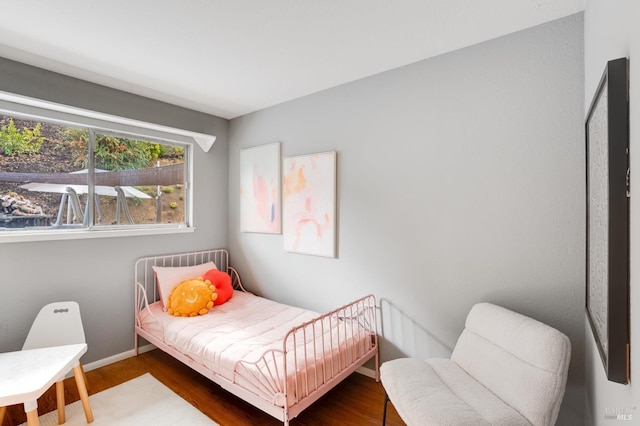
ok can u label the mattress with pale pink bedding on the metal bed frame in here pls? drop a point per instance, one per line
(243, 341)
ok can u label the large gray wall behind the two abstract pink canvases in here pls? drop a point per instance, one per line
(460, 179)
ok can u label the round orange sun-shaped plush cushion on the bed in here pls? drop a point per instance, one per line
(191, 297)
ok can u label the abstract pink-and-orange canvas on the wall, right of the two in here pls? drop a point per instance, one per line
(309, 204)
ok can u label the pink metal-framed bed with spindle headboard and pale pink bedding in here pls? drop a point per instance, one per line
(279, 358)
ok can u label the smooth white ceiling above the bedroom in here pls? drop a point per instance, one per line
(232, 57)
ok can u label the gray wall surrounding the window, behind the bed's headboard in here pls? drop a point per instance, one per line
(98, 273)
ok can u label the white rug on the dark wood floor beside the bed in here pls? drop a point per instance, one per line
(140, 401)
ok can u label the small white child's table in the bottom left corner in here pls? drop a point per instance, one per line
(26, 375)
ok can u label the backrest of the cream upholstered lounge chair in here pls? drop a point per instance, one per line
(521, 360)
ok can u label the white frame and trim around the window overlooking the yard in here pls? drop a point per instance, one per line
(15, 105)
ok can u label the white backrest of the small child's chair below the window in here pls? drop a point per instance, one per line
(56, 324)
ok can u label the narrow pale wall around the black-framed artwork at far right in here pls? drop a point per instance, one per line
(612, 31)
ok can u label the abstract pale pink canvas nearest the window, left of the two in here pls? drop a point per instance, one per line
(260, 203)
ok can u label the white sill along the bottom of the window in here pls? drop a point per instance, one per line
(79, 234)
